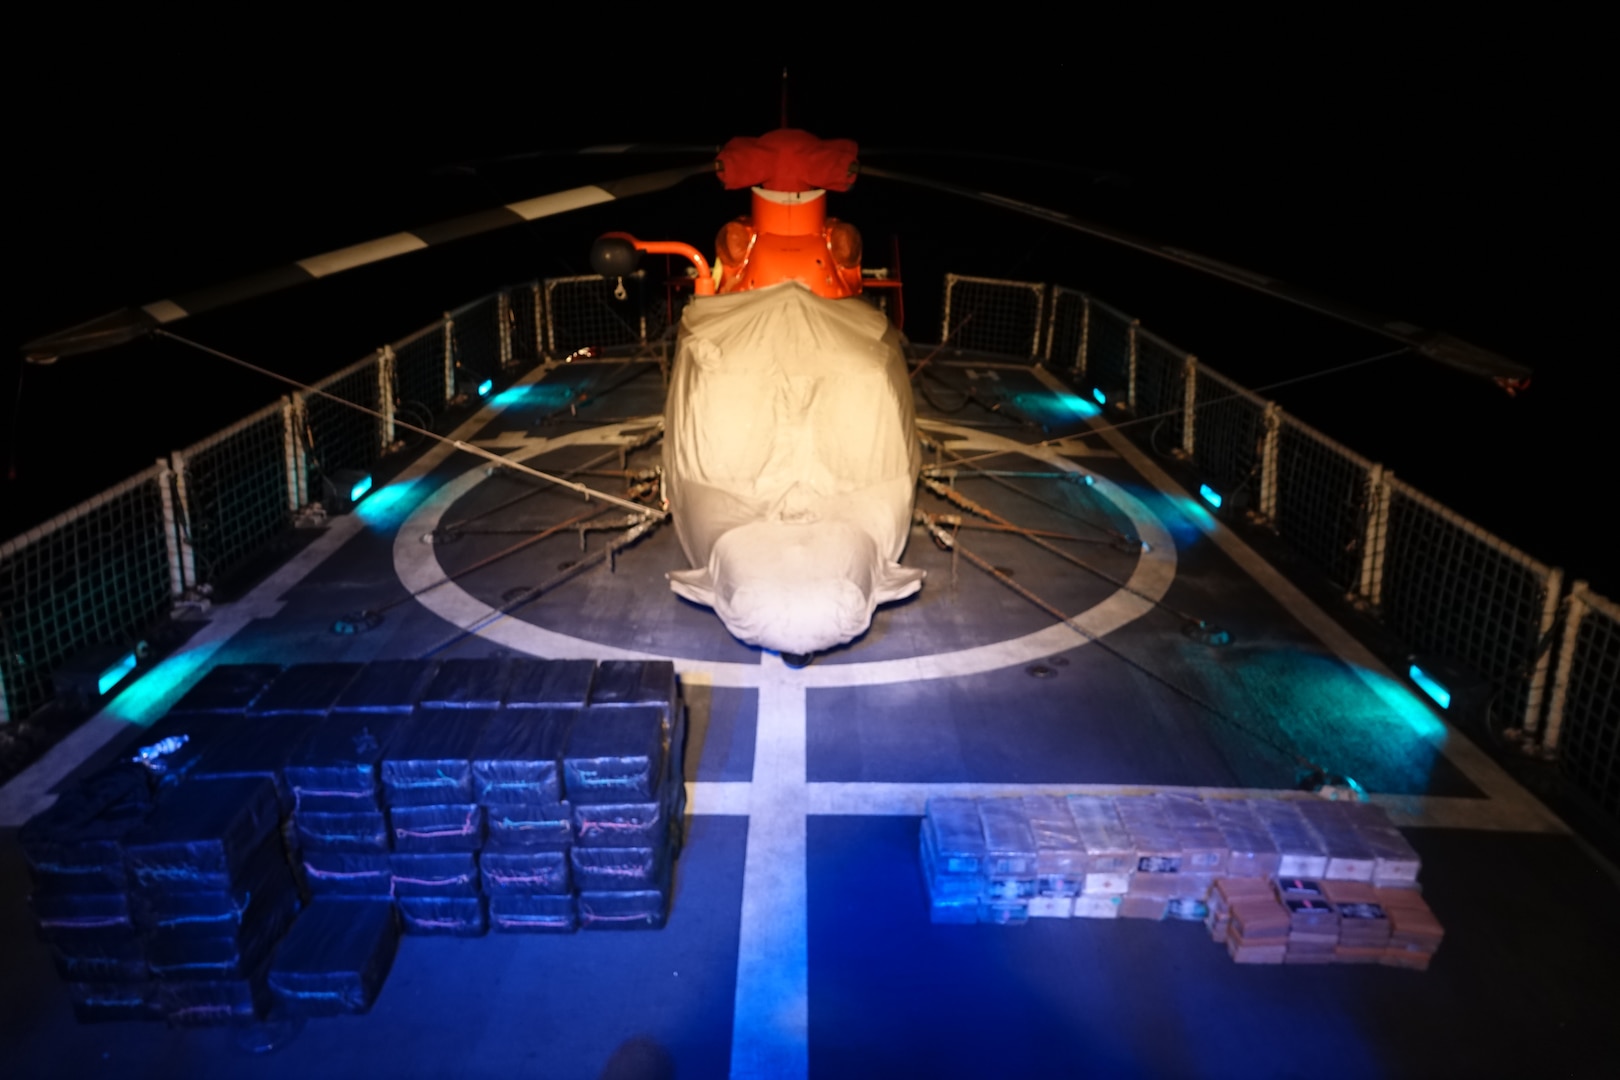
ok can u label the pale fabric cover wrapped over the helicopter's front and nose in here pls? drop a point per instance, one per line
(791, 464)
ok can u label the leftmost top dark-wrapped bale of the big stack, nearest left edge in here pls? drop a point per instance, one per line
(75, 846)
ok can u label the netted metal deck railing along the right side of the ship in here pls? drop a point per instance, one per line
(1496, 619)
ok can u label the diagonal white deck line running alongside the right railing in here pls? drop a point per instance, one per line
(1470, 760)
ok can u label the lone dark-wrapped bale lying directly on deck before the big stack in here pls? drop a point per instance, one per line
(336, 959)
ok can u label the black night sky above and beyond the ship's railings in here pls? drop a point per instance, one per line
(1446, 182)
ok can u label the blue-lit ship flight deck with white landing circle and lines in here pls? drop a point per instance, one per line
(799, 938)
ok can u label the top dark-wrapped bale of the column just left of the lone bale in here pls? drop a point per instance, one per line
(202, 836)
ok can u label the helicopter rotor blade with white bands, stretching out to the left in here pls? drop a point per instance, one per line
(132, 323)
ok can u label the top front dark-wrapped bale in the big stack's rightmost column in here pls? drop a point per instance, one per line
(616, 755)
